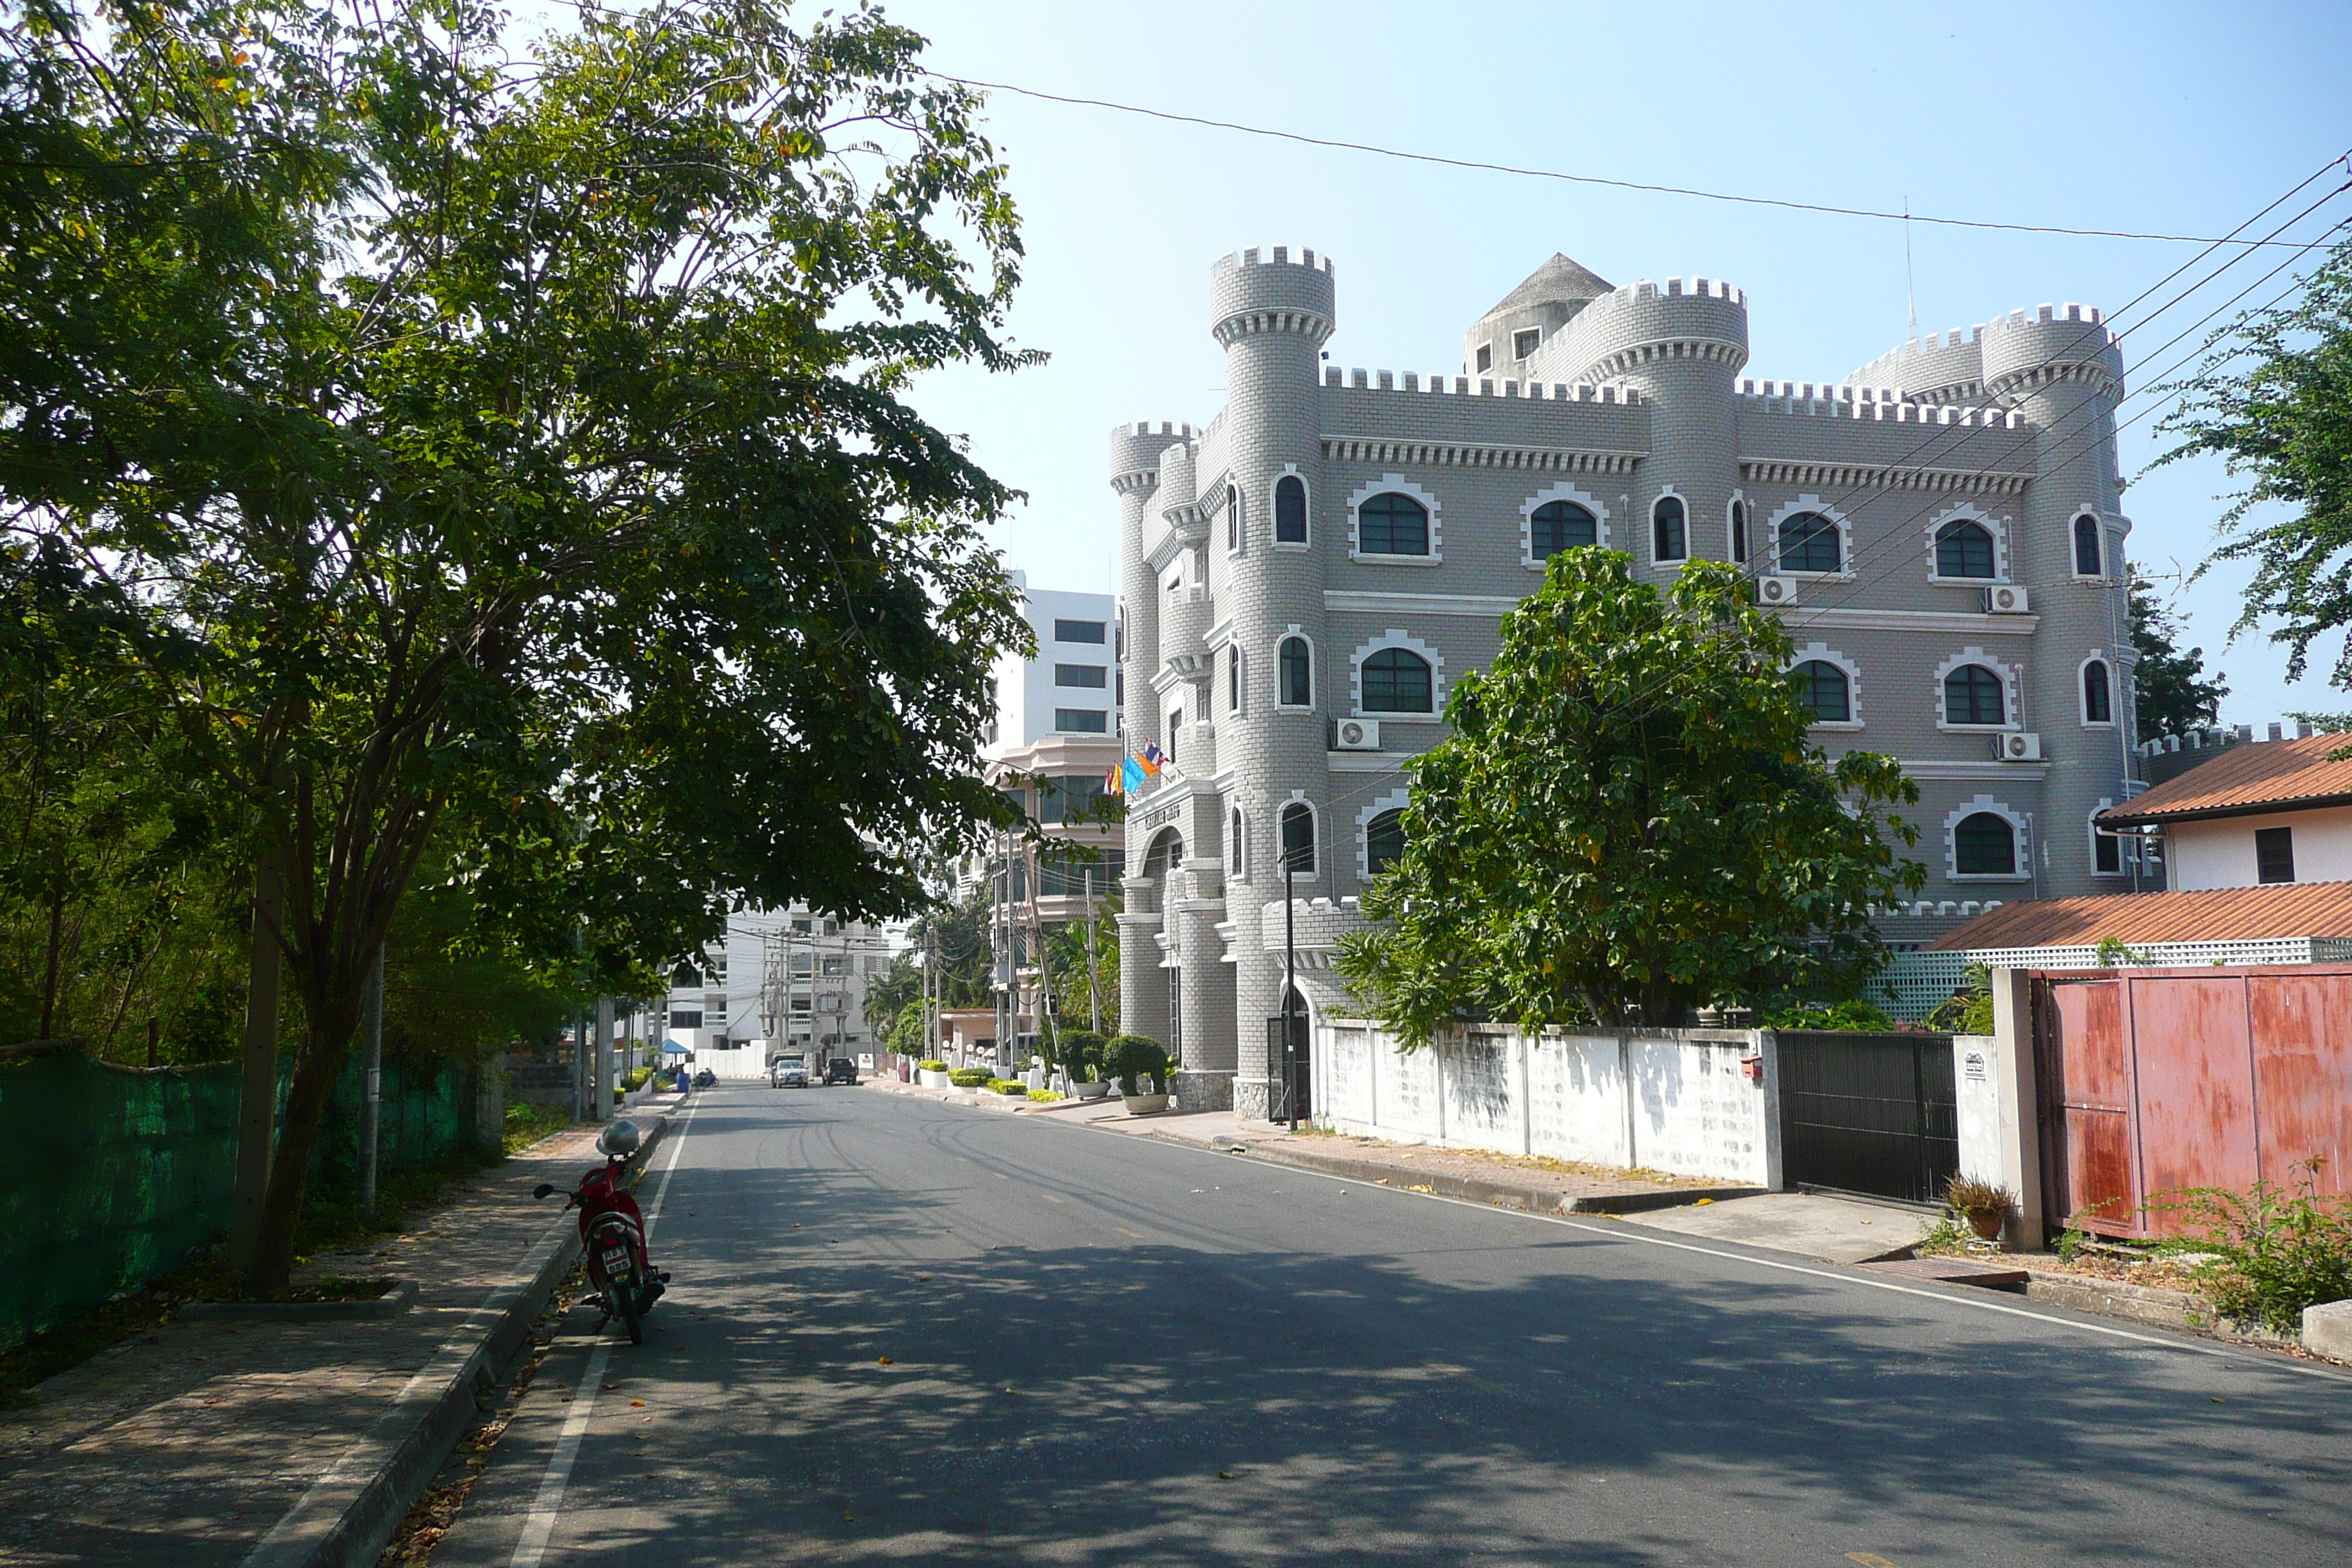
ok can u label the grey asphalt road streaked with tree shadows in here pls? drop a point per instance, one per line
(1118, 1351)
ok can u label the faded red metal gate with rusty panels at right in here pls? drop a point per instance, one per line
(2163, 1080)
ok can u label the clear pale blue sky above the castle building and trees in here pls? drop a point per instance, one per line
(2172, 119)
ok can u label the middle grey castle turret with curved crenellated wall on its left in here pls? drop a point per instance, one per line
(1683, 347)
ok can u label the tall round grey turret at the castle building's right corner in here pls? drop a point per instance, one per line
(2066, 373)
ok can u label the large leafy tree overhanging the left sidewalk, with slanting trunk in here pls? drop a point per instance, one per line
(533, 469)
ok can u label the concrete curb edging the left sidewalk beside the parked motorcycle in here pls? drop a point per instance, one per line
(352, 1513)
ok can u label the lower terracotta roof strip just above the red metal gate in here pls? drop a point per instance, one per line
(2212, 916)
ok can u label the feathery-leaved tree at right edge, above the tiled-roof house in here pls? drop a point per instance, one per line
(2276, 401)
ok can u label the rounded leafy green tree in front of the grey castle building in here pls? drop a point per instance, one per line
(1631, 819)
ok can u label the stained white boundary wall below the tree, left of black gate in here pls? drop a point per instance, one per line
(1652, 1099)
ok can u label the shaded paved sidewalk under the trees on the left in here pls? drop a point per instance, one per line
(211, 1445)
